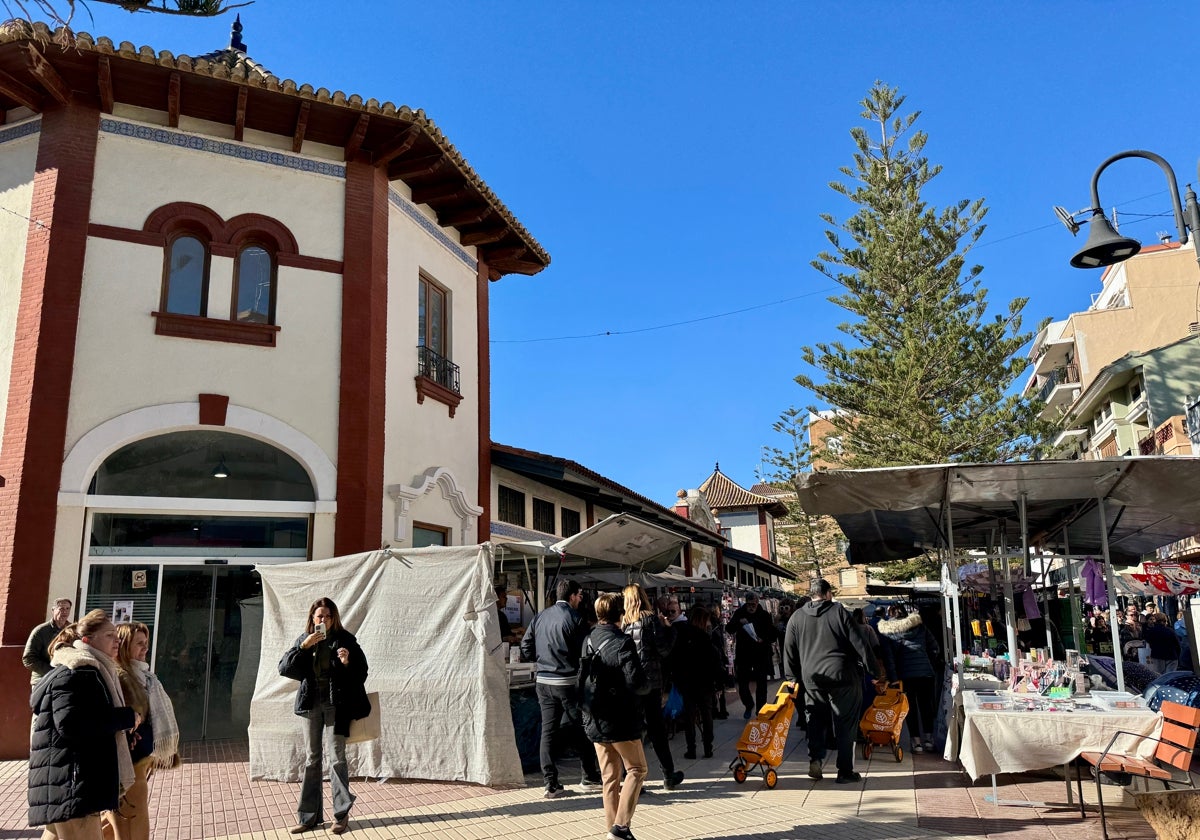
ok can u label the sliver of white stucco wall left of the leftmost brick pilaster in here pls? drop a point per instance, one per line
(19, 159)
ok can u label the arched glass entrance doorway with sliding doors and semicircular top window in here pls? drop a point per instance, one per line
(175, 526)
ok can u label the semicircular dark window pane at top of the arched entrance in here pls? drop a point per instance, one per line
(183, 465)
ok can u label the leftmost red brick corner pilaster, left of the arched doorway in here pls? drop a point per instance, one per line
(40, 393)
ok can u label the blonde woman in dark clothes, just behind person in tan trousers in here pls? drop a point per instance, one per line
(655, 640)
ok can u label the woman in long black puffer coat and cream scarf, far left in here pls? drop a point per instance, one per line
(79, 754)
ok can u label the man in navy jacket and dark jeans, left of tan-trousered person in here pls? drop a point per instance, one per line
(554, 640)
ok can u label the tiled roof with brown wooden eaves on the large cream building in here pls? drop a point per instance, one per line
(40, 68)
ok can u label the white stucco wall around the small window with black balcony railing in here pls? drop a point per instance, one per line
(419, 437)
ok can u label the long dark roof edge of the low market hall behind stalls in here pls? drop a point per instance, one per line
(578, 481)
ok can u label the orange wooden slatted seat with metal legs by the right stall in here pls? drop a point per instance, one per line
(1172, 757)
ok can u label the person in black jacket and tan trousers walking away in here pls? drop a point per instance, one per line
(614, 717)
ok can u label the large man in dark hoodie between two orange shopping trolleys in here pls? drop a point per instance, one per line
(825, 652)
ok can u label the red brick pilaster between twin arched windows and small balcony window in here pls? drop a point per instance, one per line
(361, 413)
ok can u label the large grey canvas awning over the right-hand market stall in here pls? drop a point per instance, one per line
(901, 512)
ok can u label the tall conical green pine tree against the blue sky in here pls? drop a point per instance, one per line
(925, 376)
